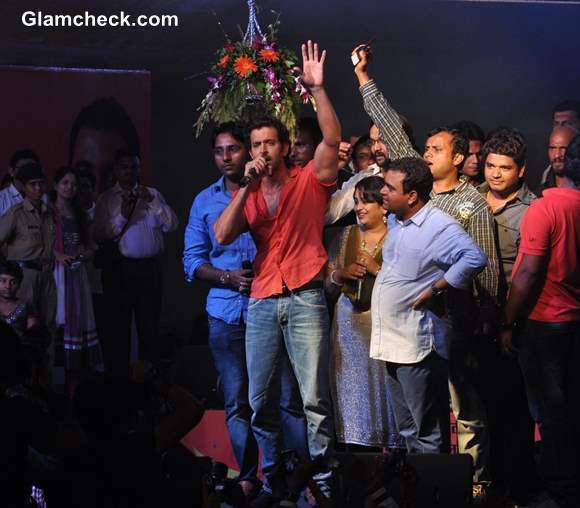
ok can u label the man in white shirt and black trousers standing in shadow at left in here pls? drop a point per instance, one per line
(136, 217)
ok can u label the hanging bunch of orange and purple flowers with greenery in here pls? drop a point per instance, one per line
(253, 77)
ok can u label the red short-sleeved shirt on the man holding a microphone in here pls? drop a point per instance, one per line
(290, 248)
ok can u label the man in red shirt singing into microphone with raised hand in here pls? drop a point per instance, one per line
(284, 207)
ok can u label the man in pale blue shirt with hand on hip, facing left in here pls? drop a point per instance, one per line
(425, 253)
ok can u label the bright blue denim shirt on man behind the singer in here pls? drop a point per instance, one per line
(200, 247)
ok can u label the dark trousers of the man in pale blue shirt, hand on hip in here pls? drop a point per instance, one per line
(421, 403)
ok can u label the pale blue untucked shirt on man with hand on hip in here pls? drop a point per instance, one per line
(416, 253)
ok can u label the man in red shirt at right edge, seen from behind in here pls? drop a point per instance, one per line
(545, 296)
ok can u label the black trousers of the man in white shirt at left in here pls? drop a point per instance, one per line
(132, 287)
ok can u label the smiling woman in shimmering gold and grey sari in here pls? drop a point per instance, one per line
(362, 408)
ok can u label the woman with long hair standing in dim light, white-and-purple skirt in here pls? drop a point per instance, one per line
(73, 248)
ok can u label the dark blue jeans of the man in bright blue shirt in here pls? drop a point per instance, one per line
(227, 343)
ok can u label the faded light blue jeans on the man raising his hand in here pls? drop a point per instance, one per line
(298, 323)
